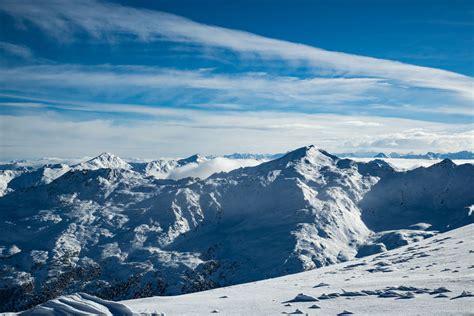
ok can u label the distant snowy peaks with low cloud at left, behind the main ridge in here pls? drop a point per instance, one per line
(44, 170)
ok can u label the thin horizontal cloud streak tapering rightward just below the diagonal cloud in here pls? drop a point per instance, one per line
(106, 76)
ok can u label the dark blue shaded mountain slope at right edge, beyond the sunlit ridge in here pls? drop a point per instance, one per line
(439, 195)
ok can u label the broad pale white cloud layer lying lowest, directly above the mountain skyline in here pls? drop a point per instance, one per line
(186, 132)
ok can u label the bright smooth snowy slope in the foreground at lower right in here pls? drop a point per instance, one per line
(431, 277)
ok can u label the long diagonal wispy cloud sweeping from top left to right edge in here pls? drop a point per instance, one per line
(103, 20)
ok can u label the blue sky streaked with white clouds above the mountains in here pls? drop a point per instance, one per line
(172, 78)
